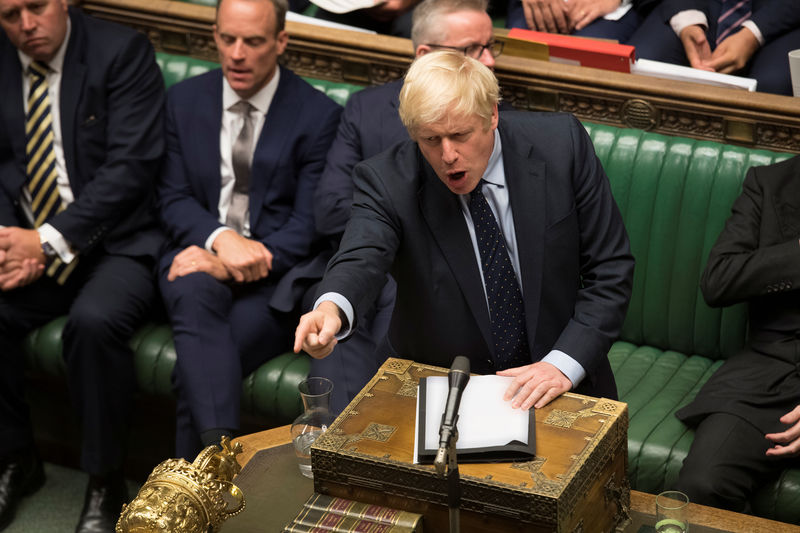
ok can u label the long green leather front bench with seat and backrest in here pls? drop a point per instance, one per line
(675, 195)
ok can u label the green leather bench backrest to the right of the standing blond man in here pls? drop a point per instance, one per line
(675, 195)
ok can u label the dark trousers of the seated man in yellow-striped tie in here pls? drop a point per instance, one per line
(106, 299)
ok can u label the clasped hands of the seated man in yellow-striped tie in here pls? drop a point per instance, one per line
(21, 259)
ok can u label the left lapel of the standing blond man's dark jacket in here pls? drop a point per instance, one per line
(442, 212)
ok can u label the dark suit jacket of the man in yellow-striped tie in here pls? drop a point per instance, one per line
(112, 96)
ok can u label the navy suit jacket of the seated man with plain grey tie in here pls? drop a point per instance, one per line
(287, 162)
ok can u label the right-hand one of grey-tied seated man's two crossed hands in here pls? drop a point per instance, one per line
(246, 259)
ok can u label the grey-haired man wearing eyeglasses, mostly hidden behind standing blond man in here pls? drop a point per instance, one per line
(371, 124)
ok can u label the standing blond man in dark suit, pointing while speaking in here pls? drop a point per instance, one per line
(501, 232)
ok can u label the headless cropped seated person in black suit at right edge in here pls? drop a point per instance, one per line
(748, 413)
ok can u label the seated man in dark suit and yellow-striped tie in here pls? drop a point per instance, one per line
(81, 137)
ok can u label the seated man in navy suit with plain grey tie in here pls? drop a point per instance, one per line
(245, 148)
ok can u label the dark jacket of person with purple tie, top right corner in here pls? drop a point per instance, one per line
(773, 17)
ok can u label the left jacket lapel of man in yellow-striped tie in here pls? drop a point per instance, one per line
(13, 116)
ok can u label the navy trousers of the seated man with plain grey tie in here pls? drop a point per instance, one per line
(222, 332)
